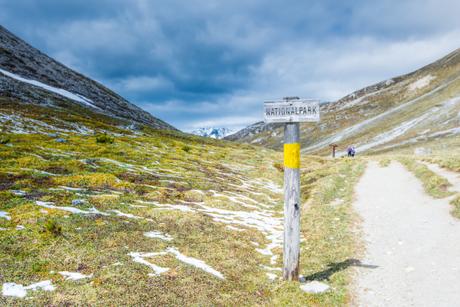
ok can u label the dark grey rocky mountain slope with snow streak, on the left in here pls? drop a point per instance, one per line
(29, 76)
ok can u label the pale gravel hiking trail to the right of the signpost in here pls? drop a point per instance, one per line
(412, 239)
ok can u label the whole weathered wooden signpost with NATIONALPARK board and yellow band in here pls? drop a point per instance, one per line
(291, 111)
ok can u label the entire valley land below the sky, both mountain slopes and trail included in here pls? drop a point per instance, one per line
(102, 203)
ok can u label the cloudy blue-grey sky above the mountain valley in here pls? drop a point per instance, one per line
(197, 63)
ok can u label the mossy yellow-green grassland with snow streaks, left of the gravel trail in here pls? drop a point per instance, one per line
(161, 218)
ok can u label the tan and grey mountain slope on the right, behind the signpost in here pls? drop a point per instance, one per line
(417, 109)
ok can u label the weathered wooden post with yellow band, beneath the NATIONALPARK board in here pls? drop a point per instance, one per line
(291, 252)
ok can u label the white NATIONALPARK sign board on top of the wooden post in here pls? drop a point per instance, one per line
(292, 111)
